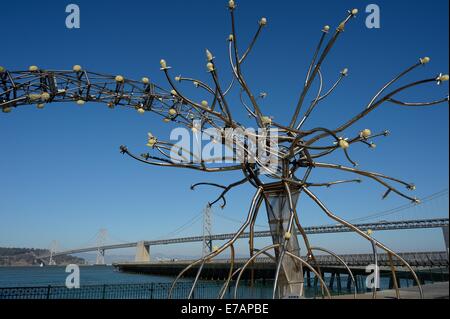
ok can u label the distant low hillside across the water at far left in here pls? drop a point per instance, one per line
(27, 257)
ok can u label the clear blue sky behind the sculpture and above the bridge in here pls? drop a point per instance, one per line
(62, 177)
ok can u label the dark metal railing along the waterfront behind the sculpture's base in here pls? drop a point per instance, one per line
(260, 289)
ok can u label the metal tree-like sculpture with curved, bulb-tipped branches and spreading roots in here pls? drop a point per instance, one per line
(297, 151)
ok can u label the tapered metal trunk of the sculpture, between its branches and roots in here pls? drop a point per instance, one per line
(291, 278)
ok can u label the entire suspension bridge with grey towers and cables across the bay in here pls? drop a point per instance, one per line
(404, 222)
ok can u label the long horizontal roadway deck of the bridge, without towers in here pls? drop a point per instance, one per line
(143, 247)
